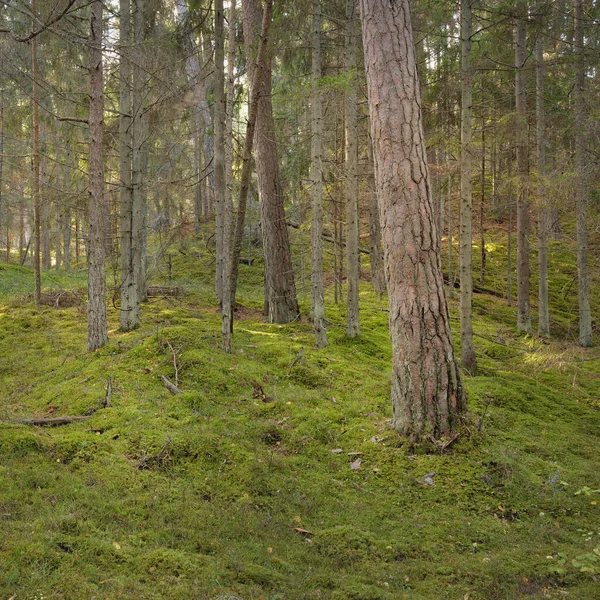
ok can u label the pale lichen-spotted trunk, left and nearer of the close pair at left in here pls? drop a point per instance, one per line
(130, 304)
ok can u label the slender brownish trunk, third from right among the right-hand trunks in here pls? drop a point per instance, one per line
(523, 310)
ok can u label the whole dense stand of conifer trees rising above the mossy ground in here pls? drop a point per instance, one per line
(127, 125)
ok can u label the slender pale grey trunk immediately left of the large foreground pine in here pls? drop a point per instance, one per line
(352, 215)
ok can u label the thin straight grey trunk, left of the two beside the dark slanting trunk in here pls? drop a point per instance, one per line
(219, 147)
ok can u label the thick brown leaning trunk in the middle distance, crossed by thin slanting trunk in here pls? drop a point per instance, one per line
(279, 275)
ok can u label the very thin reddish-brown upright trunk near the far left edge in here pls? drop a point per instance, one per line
(36, 167)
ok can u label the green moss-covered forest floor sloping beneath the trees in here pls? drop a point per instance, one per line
(249, 485)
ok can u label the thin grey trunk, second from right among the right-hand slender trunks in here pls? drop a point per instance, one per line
(543, 216)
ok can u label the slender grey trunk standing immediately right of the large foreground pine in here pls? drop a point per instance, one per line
(467, 351)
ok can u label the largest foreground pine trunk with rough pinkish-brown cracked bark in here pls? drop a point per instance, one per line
(427, 391)
